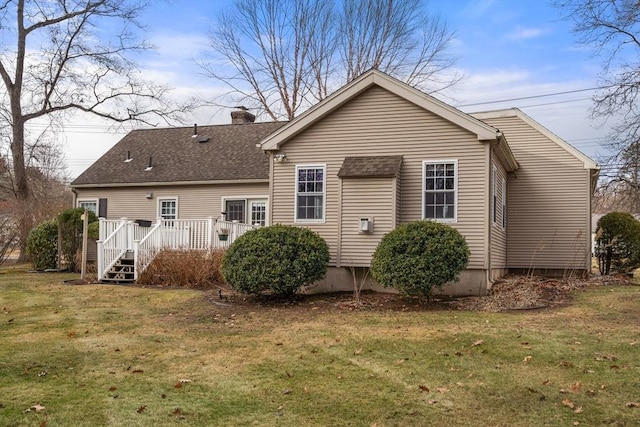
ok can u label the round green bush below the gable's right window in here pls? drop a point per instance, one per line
(417, 257)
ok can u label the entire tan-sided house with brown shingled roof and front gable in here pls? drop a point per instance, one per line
(374, 154)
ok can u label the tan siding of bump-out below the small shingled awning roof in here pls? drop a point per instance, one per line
(365, 197)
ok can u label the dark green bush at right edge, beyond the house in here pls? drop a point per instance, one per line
(618, 242)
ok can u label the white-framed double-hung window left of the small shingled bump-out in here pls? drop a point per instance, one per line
(310, 193)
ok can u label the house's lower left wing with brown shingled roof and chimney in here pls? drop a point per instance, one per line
(184, 173)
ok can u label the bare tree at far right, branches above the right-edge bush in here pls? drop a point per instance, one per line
(612, 29)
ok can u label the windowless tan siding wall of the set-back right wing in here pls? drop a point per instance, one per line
(548, 202)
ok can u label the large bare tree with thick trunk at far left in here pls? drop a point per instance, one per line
(60, 56)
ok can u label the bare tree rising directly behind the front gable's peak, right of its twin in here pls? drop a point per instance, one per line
(397, 37)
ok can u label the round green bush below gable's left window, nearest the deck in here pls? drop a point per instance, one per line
(279, 258)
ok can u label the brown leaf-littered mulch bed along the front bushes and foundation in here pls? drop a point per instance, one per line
(508, 293)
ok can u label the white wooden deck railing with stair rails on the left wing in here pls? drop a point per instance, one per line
(118, 237)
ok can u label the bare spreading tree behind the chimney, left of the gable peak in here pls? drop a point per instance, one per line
(269, 52)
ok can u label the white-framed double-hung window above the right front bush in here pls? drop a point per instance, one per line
(440, 185)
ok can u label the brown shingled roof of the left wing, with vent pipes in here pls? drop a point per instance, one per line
(229, 154)
